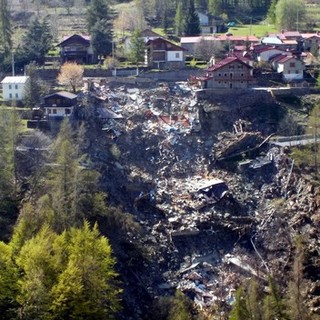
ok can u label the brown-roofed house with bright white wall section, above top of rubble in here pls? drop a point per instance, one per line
(163, 54)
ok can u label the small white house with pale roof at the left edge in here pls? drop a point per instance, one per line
(13, 88)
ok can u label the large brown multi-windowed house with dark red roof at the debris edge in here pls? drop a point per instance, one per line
(229, 73)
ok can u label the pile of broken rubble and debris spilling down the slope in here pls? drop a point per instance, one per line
(195, 212)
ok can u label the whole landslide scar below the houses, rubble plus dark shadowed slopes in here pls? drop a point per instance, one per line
(210, 200)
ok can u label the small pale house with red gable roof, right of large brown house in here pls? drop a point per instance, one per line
(291, 67)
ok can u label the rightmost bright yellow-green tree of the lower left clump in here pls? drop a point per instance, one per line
(86, 286)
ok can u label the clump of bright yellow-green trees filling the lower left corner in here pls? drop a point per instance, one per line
(66, 276)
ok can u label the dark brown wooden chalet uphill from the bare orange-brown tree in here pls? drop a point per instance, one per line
(77, 48)
